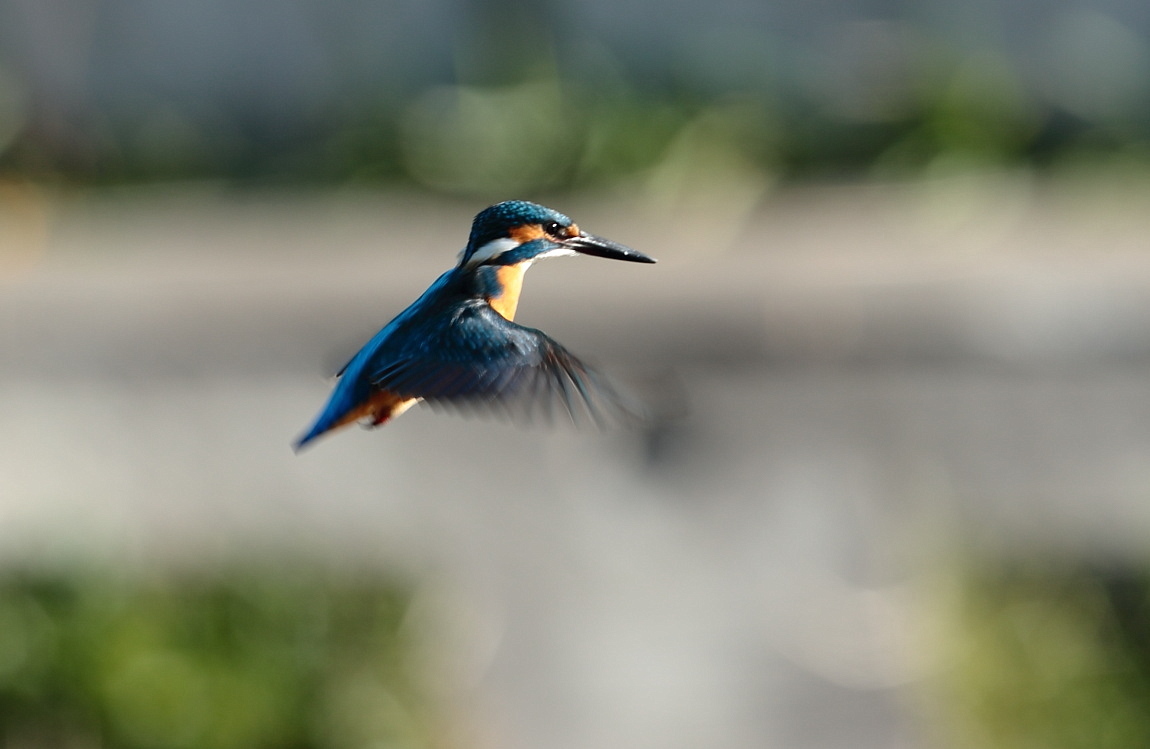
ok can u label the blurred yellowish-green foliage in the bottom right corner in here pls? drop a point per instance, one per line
(1051, 658)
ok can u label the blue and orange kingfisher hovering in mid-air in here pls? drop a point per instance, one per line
(458, 345)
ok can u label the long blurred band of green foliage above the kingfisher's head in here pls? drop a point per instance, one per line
(546, 133)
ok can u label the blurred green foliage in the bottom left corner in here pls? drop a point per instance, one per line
(241, 661)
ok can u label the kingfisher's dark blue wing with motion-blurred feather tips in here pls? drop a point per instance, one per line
(480, 361)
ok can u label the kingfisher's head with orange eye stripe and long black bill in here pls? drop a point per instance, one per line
(519, 232)
